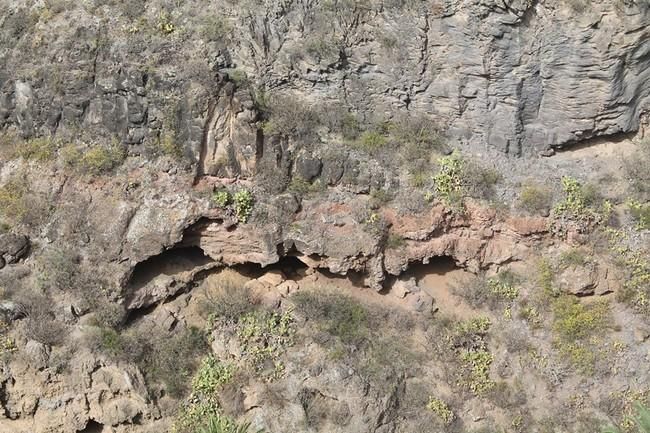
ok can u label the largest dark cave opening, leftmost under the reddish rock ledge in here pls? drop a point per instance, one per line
(169, 262)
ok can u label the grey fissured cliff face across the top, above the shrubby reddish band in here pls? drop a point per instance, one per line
(521, 76)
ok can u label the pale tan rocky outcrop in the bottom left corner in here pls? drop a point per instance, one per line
(39, 400)
